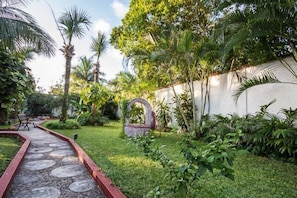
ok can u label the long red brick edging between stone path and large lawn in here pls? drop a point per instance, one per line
(105, 184)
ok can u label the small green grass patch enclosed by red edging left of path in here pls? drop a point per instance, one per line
(9, 146)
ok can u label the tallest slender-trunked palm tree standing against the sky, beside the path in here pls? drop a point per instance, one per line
(71, 24)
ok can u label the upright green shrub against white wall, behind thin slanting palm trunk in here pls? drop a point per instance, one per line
(187, 108)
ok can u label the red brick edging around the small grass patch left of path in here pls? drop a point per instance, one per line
(13, 166)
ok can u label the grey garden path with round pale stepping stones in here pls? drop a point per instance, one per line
(51, 169)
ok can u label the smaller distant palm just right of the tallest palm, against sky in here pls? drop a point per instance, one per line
(99, 46)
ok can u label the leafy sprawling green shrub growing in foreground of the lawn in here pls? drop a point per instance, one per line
(218, 154)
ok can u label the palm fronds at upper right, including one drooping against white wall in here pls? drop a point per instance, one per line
(271, 22)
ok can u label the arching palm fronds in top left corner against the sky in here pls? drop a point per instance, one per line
(19, 30)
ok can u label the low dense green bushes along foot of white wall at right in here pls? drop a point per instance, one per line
(264, 133)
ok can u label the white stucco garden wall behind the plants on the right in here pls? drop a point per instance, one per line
(223, 87)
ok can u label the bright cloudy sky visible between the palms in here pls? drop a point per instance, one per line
(104, 15)
